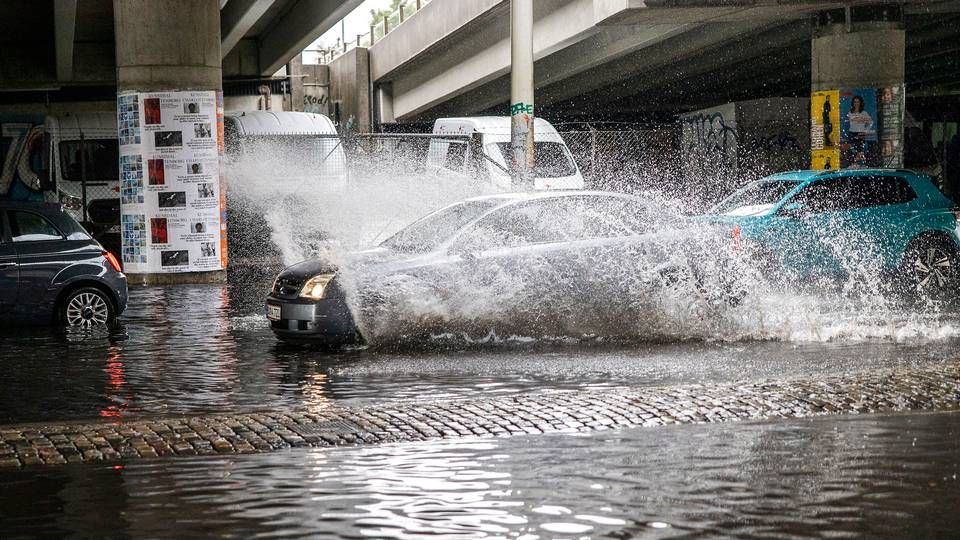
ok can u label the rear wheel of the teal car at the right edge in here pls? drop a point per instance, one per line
(930, 269)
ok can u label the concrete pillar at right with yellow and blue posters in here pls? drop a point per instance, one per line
(857, 95)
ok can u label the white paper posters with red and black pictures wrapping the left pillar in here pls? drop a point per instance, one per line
(171, 191)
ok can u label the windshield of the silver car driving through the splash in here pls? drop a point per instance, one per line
(432, 231)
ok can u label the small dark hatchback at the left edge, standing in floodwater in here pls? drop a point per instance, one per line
(53, 271)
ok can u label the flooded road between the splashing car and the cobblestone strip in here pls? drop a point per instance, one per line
(208, 349)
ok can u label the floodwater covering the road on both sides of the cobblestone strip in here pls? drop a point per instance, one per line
(844, 476)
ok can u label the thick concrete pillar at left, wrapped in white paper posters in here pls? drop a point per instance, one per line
(170, 118)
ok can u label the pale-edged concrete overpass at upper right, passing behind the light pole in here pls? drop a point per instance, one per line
(614, 58)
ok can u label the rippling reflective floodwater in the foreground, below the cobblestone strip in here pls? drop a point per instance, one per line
(875, 476)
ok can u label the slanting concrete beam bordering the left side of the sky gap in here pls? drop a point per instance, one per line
(298, 27)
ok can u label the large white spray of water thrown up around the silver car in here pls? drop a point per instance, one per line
(678, 280)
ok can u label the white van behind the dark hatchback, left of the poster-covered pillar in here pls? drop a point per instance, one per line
(96, 134)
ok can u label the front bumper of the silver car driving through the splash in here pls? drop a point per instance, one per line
(322, 321)
